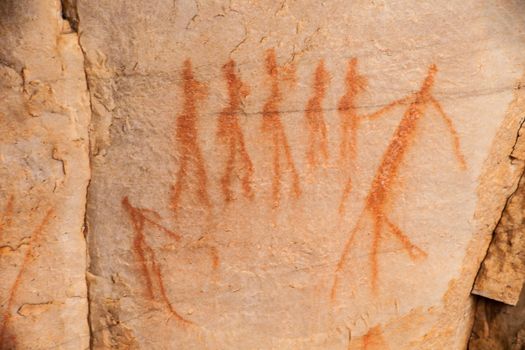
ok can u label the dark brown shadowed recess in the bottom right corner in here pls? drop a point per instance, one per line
(499, 326)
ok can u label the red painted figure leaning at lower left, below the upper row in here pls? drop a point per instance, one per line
(146, 256)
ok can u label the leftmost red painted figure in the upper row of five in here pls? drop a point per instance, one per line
(191, 158)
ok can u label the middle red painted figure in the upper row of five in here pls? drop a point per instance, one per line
(272, 125)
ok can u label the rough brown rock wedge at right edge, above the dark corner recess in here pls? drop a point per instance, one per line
(502, 273)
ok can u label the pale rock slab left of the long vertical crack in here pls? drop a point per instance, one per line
(44, 167)
